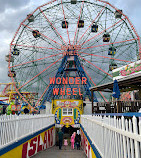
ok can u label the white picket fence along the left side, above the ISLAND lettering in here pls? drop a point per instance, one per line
(13, 127)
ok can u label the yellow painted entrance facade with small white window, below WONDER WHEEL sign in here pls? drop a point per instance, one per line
(67, 112)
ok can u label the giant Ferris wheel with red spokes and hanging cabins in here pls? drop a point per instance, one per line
(101, 35)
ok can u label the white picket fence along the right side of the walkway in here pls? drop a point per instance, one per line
(114, 138)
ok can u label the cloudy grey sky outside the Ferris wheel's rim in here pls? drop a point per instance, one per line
(12, 12)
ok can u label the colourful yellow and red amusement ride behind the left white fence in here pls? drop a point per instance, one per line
(9, 99)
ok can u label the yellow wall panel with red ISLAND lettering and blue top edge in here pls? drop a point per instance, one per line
(27, 148)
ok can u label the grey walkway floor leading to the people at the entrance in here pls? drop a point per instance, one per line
(54, 152)
